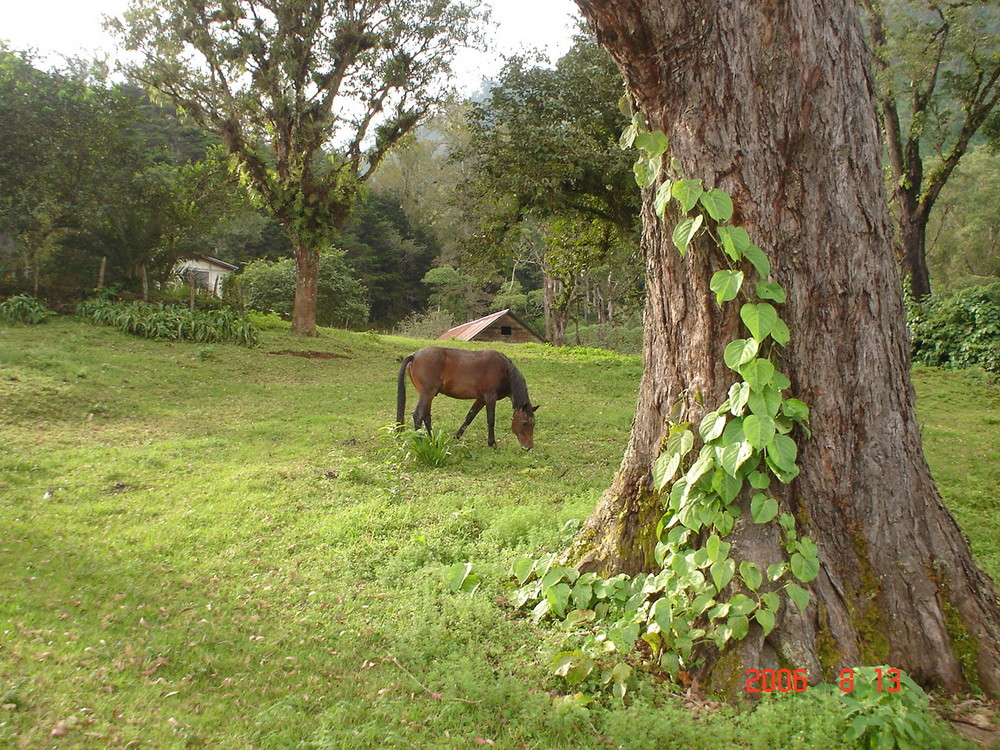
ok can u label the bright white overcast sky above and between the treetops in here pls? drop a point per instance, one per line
(72, 28)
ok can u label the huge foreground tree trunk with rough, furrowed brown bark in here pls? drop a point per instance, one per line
(772, 102)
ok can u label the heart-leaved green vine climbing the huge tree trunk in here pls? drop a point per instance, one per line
(700, 594)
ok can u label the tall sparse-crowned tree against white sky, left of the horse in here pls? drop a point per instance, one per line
(282, 83)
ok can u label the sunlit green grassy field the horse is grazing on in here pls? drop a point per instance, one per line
(217, 547)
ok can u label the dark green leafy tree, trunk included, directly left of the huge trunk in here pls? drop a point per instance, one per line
(547, 180)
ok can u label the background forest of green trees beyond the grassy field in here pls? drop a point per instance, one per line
(518, 198)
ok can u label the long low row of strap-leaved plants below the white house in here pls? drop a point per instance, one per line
(171, 323)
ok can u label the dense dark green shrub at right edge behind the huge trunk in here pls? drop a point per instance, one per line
(958, 331)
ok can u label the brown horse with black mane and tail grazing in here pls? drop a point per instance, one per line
(486, 376)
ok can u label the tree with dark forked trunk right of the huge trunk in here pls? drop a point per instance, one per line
(938, 83)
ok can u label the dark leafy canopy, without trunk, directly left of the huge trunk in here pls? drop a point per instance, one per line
(545, 142)
